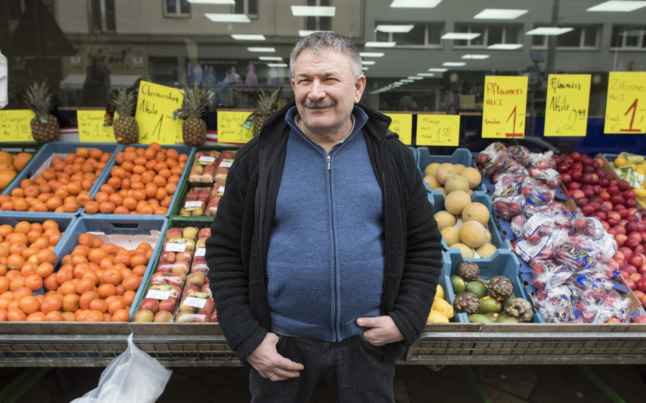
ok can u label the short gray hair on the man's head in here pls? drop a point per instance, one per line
(320, 42)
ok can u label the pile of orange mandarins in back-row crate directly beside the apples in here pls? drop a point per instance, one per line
(142, 181)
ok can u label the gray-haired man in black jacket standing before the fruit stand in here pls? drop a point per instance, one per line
(324, 255)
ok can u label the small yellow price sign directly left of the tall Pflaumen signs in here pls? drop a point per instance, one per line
(438, 130)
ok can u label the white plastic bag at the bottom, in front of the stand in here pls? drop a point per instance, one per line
(133, 376)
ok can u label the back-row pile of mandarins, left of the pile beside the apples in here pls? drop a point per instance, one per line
(62, 187)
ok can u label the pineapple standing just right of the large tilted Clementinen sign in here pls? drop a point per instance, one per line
(194, 105)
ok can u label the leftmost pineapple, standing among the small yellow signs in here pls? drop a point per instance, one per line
(44, 126)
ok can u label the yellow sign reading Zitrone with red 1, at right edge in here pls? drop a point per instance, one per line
(626, 103)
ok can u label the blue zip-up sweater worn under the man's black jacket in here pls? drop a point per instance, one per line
(325, 261)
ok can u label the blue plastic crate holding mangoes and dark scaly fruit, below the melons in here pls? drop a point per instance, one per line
(504, 263)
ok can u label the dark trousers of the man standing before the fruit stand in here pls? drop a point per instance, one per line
(354, 369)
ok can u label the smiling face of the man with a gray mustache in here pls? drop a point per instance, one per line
(326, 91)
